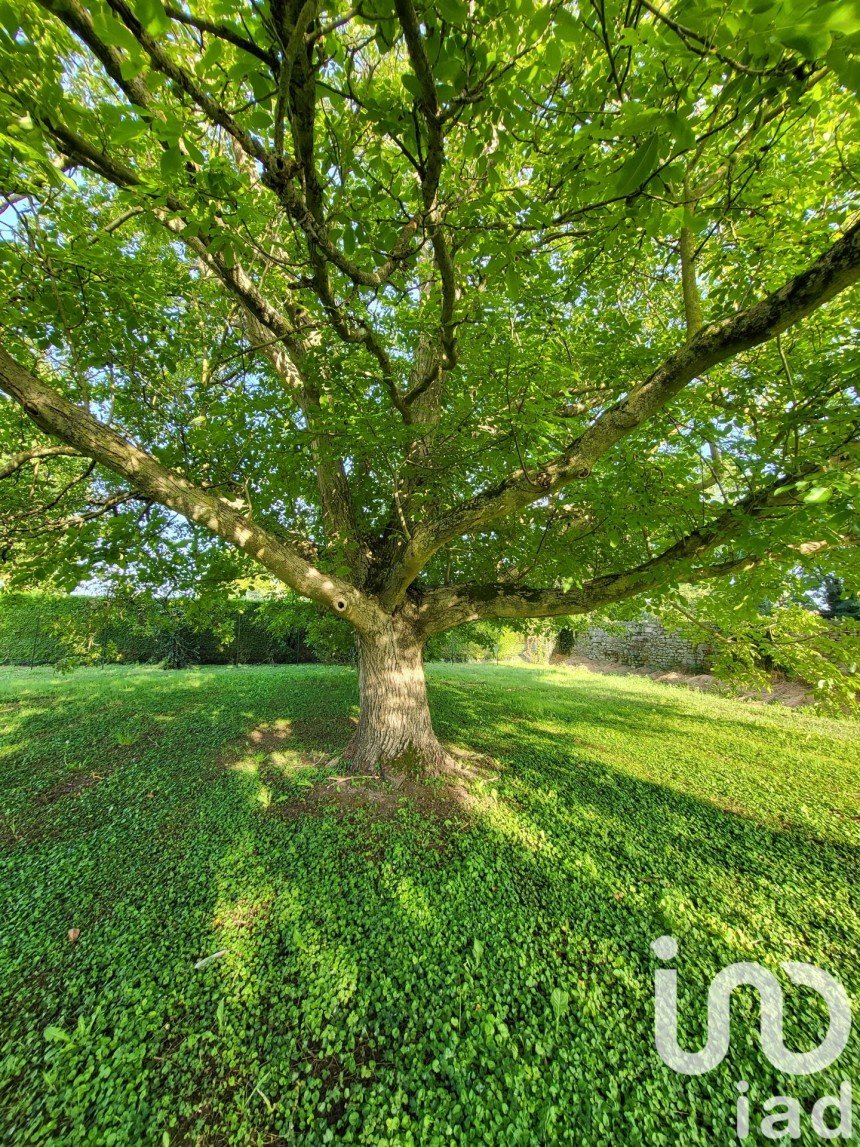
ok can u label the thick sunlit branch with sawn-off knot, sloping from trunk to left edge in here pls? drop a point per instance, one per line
(76, 427)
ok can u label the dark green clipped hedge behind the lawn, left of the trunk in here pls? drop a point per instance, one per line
(38, 629)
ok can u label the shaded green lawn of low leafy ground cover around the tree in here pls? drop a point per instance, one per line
(392, 961)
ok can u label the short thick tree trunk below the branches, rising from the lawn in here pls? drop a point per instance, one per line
(395, 731)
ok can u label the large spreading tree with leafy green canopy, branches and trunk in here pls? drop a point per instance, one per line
(435, 311)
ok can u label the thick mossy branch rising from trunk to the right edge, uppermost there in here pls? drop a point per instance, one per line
(836, 270)
